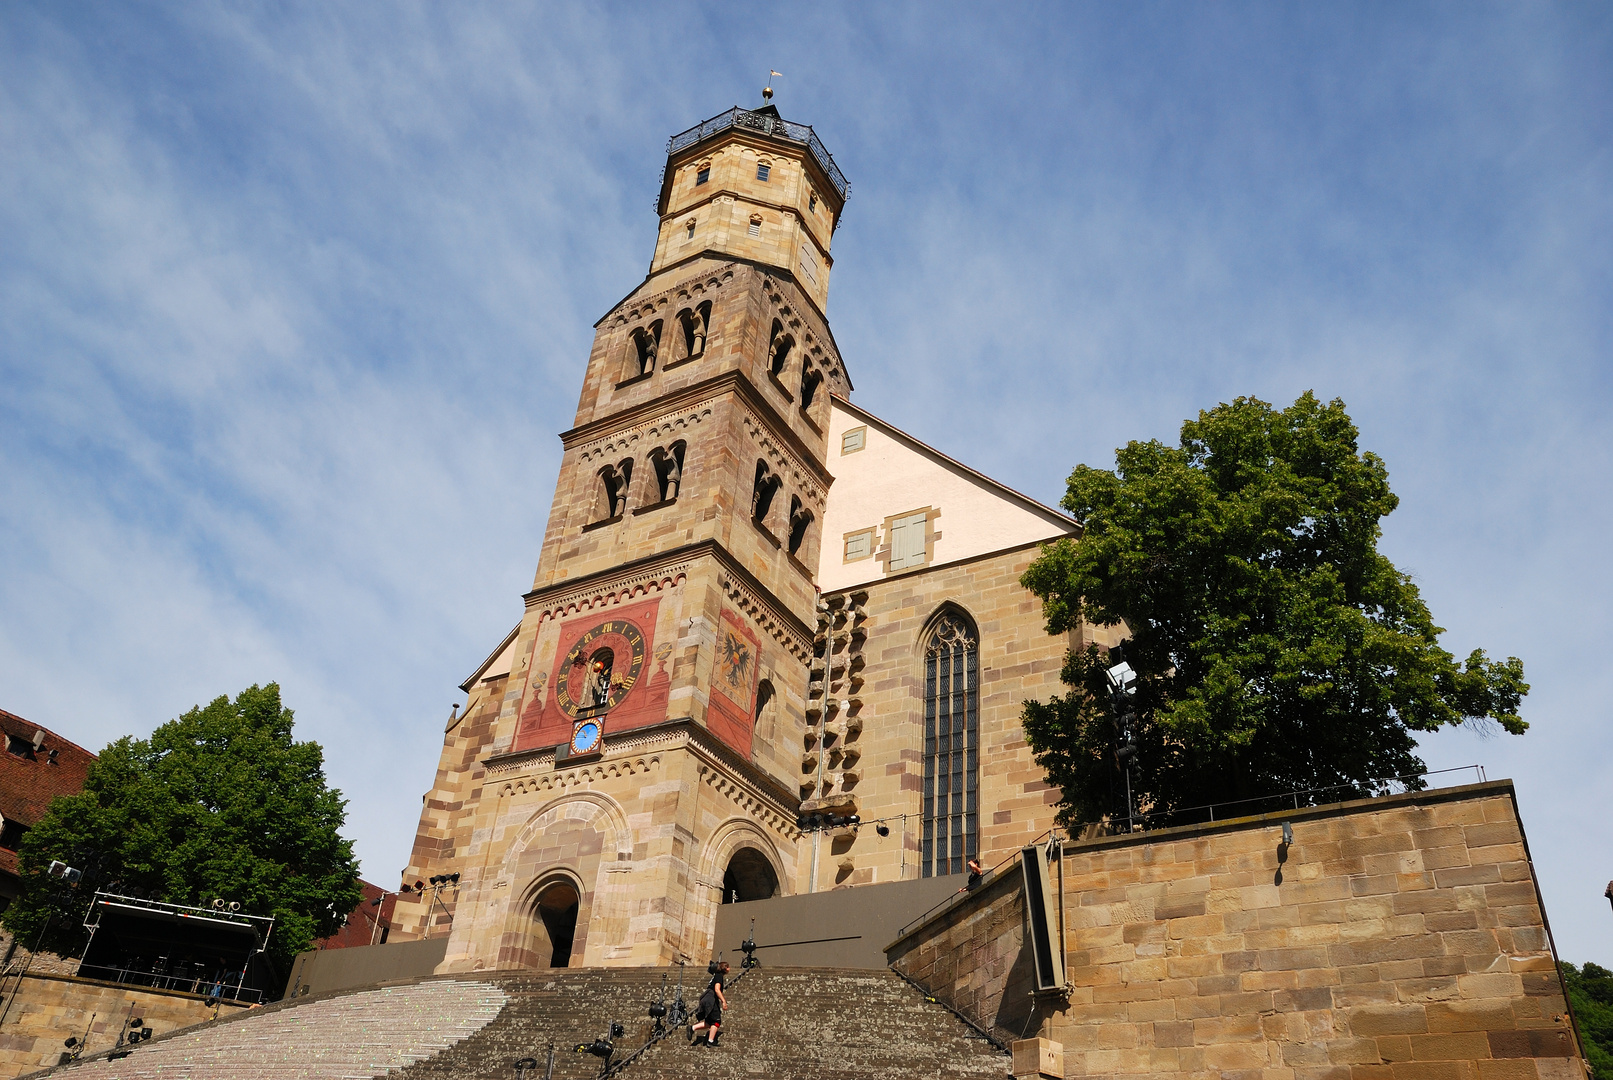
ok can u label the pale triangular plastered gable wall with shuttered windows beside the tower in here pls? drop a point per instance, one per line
(894, 476)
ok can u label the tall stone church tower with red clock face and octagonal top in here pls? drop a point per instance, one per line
(633, 752)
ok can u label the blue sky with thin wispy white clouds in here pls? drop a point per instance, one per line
(296, 297)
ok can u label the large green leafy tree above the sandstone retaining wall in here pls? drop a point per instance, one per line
(1277, 649)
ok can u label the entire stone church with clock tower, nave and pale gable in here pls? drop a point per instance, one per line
(759, 613)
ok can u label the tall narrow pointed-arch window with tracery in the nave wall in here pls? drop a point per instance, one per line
(952, 705)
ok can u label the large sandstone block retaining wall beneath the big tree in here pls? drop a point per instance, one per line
(1398, 939)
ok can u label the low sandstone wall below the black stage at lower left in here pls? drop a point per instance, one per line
(46, 1010)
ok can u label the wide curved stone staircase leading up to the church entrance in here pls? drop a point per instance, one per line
(783, 1024)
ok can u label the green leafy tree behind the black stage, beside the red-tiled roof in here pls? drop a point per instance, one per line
(220, 804)
